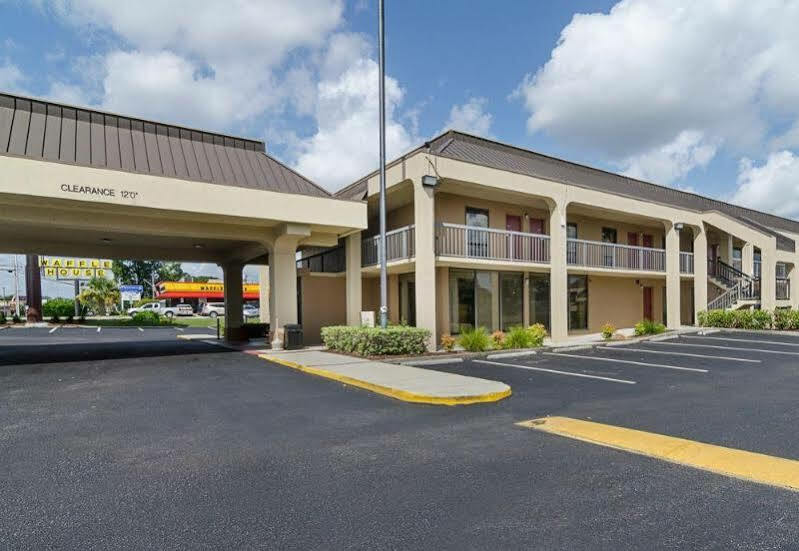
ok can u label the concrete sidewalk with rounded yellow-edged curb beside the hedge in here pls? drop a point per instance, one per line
(403, 382)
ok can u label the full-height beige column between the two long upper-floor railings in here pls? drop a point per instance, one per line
(559, 279)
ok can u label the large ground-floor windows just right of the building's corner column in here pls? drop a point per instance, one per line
(491, 300)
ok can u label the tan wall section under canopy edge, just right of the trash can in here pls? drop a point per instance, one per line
(323, 303)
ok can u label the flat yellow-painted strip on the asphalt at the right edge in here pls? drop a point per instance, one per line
(755, 467)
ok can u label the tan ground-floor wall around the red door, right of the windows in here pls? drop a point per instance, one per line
(620, 301)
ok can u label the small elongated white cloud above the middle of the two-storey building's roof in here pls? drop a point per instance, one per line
(672, 161)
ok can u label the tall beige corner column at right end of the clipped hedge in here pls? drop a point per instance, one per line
(424, 219)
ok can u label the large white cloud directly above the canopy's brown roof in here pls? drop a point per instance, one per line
(202, 63)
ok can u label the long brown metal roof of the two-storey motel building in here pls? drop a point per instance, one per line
(477, 150)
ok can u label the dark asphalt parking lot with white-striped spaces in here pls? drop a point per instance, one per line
(196, 447)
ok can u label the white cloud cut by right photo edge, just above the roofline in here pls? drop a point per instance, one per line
(772, 186)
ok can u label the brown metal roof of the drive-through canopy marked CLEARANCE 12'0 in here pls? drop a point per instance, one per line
(54, 132)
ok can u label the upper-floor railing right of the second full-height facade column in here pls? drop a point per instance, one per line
(597, 254)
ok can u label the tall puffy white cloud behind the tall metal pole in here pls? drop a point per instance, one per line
(345, 146)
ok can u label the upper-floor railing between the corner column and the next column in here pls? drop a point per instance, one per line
(490, 244)
